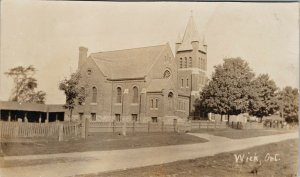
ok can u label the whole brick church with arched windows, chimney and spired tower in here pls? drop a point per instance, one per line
(144, 84)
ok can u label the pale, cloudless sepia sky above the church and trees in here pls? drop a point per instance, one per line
(47, 35)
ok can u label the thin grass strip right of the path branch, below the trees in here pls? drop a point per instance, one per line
(244, 133)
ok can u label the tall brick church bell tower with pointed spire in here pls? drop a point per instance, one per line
(191, 58)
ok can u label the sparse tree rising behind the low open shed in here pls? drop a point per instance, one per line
(25, 85)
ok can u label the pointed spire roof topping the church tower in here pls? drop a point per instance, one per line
(191, 34)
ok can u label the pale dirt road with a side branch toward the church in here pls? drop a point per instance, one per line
(100, 161)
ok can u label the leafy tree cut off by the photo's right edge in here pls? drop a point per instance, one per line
(288, 102)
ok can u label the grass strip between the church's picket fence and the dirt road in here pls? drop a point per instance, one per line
(97, 142)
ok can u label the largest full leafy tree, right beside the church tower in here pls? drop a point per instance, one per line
(227, 92)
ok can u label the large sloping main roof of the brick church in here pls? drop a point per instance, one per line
(128, 63)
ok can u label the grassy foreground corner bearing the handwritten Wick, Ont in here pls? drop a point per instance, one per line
(223, 165)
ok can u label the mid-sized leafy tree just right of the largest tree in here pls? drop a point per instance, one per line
(263, 97)
